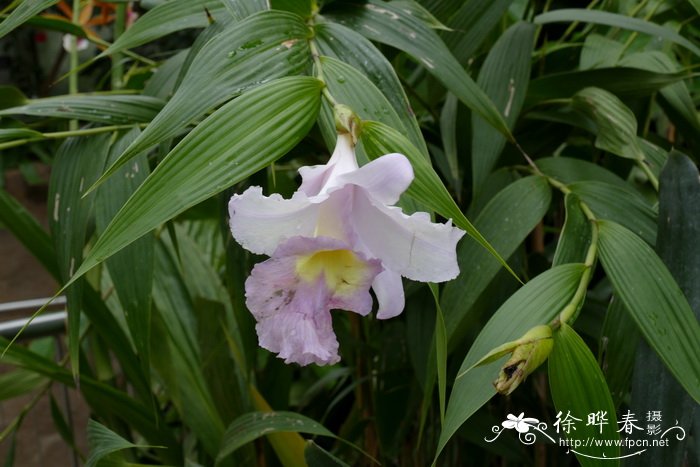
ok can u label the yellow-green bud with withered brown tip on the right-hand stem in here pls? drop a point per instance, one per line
(529, 352)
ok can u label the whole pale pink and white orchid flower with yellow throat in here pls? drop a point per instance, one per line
(338, 236)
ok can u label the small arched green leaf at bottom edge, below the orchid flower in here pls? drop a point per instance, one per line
(251, 426)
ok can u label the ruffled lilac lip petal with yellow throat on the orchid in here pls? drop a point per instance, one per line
(291, 295)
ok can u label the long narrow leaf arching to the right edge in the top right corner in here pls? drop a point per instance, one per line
(615, 20)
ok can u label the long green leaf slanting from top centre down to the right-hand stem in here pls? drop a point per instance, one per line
(390, 24)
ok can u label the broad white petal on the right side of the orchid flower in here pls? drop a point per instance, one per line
(412, 246)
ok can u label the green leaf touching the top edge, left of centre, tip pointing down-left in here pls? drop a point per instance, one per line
(166, 18)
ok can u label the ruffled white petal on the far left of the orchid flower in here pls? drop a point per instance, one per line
(260, 223)
